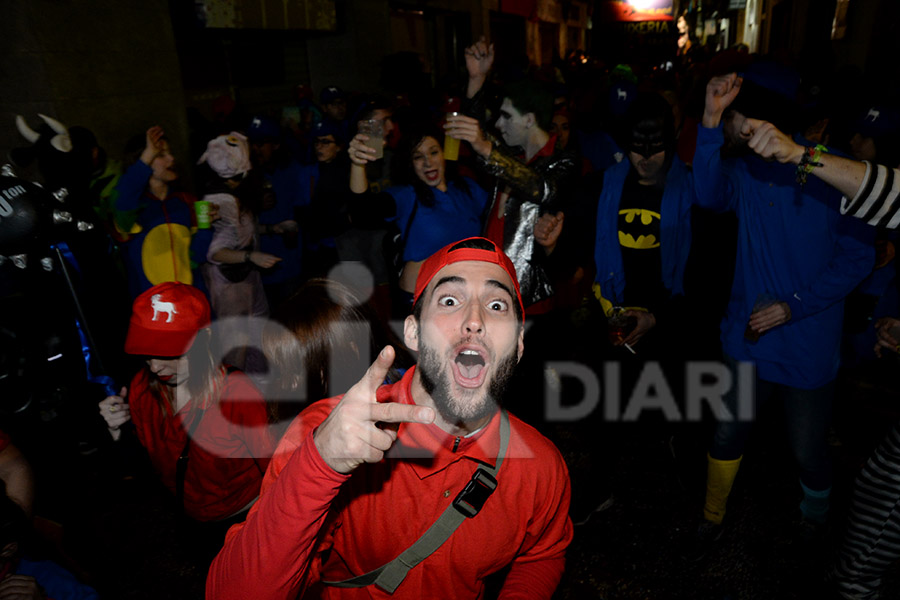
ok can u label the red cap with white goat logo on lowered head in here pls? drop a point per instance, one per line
(165, 320)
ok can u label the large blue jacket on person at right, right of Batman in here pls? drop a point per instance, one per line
(793, 244)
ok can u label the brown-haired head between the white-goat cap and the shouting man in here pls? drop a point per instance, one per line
(320, 342)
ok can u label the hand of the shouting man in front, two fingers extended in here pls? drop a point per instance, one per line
(360, 429)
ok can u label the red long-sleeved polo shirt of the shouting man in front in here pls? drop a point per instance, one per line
(313, 524)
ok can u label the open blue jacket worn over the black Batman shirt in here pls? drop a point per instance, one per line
(675, 229)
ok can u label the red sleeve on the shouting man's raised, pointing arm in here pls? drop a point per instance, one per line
(269, 555)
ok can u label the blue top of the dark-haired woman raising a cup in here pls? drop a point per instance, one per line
(456, 215)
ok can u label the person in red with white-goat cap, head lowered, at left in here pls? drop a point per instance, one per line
(188, 409)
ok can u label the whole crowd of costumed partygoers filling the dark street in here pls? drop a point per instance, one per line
(533, 221)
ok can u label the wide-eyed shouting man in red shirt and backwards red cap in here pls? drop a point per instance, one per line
(358, 479)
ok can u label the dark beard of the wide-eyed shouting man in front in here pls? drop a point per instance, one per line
(459, 411)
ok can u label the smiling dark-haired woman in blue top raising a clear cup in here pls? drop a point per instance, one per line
(433, 207)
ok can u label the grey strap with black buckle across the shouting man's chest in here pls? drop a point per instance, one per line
(466, 505)
